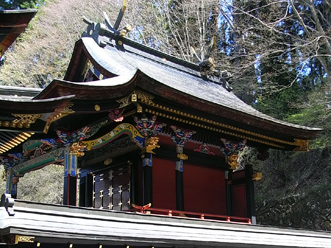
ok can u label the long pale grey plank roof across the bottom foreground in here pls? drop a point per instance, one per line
(47, 223)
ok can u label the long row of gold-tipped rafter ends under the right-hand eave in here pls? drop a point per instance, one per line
(213, 129)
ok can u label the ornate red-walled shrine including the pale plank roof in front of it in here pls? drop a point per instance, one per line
(149, 145)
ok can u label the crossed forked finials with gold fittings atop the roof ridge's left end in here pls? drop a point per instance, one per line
(95, 30)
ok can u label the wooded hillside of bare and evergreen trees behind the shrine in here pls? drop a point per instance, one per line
(275, 54)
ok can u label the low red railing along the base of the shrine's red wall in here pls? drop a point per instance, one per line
(186, 214)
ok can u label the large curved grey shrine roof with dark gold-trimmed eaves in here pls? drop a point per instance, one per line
(176, 88)
